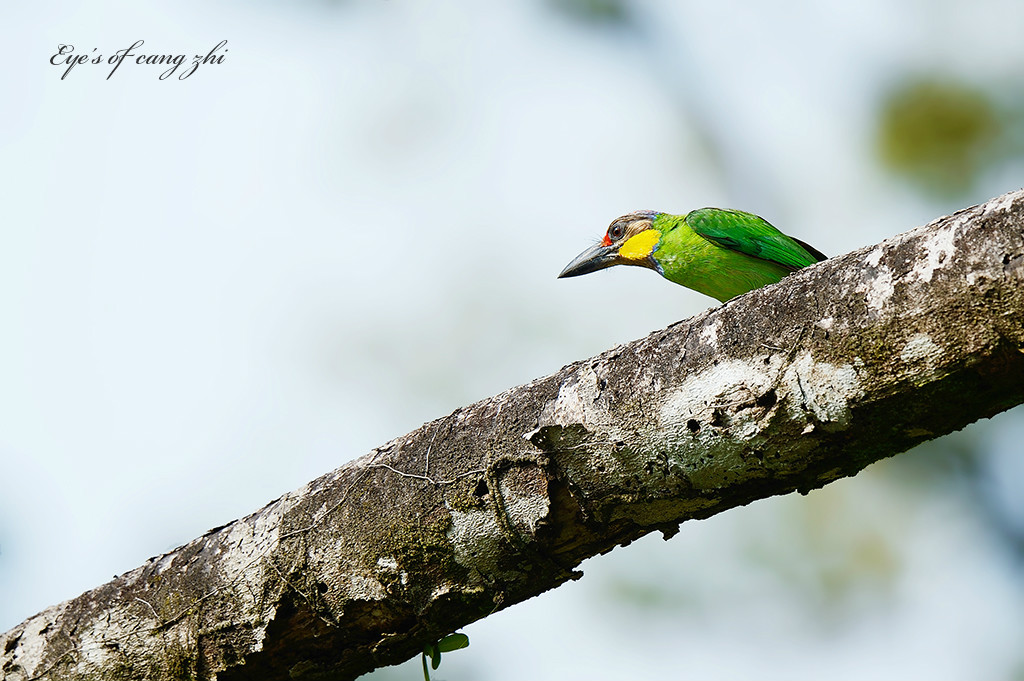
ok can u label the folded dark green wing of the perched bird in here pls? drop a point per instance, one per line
(751, 235)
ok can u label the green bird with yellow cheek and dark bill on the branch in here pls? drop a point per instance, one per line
(721, 253)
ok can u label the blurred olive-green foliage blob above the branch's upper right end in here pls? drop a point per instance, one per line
(942, 135)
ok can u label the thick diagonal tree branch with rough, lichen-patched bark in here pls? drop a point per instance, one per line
(786, 389)
